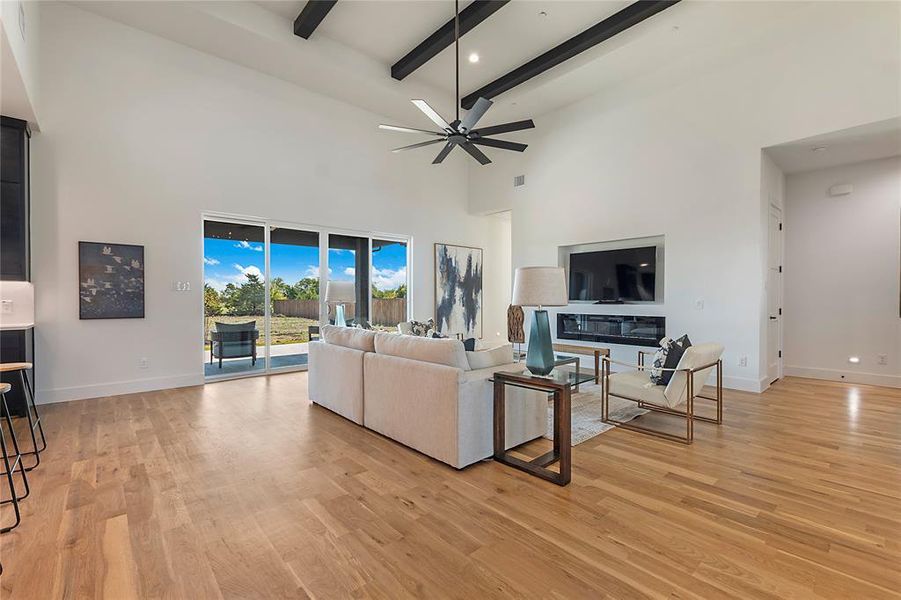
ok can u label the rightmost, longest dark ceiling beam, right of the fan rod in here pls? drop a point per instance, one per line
(631, 15)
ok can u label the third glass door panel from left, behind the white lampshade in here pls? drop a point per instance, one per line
(348, 260)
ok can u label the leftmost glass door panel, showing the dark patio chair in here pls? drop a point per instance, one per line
(234, 285)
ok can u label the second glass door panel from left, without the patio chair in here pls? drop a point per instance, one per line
(294, 295)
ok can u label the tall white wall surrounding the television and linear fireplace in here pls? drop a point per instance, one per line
(683, 160)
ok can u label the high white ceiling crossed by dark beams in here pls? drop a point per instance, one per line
(349, 56)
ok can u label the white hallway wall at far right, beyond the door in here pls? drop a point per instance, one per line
(841, 273)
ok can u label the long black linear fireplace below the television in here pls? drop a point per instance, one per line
(613, 329)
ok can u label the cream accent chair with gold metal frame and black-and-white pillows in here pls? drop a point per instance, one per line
(687, 381)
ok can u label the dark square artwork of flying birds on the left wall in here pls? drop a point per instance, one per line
(110, 281)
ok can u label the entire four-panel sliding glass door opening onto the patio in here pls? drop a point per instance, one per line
(266, 287)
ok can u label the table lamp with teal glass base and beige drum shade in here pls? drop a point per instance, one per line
(539, 287)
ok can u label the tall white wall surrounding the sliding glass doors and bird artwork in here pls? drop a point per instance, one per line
(141, 135)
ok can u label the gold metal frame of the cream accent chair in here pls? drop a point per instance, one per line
(687, 414)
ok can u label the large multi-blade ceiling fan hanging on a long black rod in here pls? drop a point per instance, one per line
(461, 132)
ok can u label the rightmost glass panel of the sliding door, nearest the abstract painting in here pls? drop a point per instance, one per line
(389, 284)
